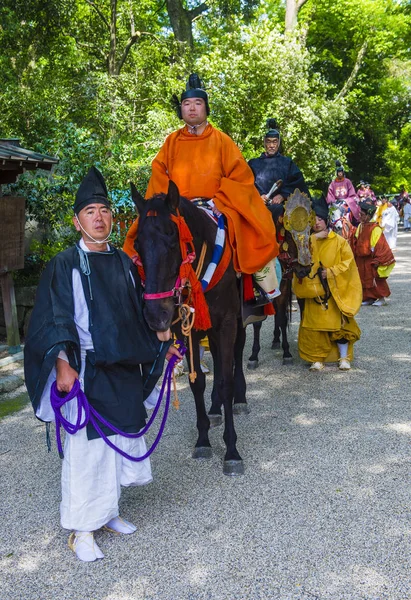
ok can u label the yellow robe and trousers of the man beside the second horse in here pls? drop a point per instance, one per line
(320, 327)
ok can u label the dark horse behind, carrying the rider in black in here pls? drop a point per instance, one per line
(289, 261)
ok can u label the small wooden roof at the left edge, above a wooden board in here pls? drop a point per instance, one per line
(15, 160)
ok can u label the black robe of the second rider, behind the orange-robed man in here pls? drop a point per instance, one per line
(269, 169)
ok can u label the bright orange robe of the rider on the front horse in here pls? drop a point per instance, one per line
(211, 166)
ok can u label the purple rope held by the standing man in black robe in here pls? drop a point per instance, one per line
(92, 416)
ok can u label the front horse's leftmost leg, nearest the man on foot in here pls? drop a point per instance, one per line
(203, 447)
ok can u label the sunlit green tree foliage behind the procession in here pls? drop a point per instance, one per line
(91, 83)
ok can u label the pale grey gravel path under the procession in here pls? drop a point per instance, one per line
(323, 510)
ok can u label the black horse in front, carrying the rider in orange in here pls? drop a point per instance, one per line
(157, 244)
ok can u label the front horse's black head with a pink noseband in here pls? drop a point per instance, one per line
(158, 246)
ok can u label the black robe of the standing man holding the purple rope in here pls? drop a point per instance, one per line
(127, 359)
